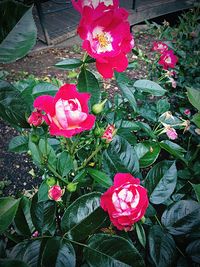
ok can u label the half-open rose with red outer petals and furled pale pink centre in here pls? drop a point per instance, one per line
(67, 113)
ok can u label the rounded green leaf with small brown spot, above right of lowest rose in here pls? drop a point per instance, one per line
(147, 153)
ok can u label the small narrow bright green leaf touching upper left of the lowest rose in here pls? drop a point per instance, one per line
(100, 177)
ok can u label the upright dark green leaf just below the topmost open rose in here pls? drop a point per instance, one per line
(87, 82)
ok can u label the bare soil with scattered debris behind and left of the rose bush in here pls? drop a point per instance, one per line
(17, 170)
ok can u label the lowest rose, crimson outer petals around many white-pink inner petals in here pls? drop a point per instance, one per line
(126, 201)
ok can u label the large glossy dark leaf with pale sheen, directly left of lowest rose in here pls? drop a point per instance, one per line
(83, 217)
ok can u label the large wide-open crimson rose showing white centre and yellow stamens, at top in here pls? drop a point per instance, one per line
(105, 31)
